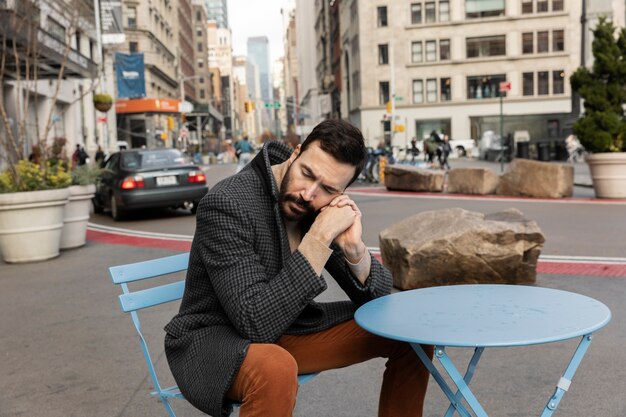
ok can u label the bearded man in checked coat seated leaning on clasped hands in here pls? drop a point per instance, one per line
(248, 323)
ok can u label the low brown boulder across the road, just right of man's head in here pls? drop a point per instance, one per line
(408, 178)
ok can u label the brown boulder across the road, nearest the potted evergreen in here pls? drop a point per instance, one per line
(537, 179)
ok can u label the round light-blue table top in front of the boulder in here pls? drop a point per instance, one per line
(483, 315)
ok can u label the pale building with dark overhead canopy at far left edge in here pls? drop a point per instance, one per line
(44, 103)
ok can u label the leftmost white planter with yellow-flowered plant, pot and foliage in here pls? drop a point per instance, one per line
(33, 195)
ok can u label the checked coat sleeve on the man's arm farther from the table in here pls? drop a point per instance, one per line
(260, 306)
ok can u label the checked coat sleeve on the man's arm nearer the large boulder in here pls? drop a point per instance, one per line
(377, 284)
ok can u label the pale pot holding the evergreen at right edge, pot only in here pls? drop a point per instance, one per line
(608, 173)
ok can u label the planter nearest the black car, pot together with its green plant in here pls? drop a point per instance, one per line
(76, 215)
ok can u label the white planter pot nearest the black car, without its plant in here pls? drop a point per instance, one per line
(76, 216)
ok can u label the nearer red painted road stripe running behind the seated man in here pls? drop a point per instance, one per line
(543, 267)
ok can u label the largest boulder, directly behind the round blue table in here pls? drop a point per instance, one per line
(456, 246)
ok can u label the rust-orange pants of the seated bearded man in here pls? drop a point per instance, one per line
(267, 382)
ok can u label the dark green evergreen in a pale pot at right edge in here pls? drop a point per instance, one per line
(602, 128)
